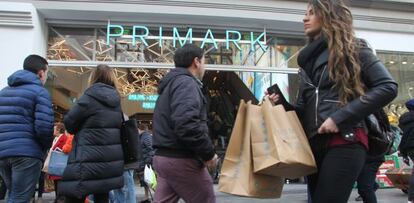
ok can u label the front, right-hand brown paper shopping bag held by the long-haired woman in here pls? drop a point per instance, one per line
(280, 147)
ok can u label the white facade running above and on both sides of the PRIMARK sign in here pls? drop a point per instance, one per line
(23, 24)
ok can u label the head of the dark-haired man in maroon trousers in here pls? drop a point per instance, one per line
(191, 57)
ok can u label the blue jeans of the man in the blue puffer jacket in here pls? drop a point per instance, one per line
(20, 175)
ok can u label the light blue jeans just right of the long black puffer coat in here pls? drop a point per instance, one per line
(127, 193)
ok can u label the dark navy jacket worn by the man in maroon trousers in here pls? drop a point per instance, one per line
(180, 118)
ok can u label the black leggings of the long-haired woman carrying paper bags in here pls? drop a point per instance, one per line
(338, 169)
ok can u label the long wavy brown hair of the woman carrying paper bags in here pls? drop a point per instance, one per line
(343, 63)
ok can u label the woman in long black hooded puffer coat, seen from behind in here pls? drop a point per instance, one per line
(95, 165)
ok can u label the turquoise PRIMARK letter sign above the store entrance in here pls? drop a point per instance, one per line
(181, 37)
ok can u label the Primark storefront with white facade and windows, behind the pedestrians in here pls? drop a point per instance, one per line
(249, 45)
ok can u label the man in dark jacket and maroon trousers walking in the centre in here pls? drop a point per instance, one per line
(184, 150)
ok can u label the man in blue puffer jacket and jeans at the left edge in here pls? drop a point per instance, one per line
(26, 128)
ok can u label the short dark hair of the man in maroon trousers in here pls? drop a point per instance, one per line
(185, 55)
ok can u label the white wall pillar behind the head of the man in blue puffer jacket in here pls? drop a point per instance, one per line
(22, 32)
